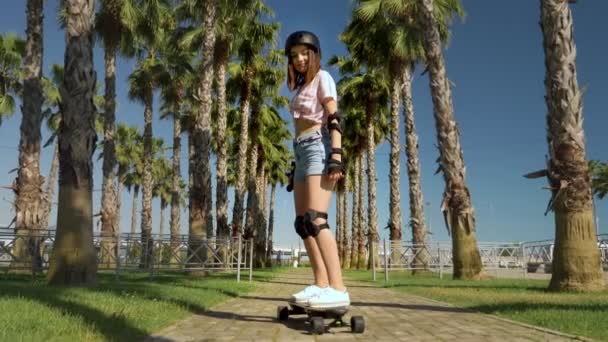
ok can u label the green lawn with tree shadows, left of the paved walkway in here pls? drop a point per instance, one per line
(126, 310)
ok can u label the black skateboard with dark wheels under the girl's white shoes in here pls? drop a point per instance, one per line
(316, 317)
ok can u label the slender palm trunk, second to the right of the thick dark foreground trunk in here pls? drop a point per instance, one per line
(147, 183)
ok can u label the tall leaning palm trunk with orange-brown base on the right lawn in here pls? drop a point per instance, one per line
(456, 205)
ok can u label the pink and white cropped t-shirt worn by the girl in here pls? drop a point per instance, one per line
(309, 99)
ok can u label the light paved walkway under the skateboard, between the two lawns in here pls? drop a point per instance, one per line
(388, 317)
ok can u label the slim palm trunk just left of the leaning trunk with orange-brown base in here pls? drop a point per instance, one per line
(417, 222)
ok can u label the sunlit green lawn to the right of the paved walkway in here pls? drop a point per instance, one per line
(522, 300)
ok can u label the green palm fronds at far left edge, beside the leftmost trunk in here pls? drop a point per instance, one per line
(12, 53)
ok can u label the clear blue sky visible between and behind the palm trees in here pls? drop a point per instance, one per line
(496, 63)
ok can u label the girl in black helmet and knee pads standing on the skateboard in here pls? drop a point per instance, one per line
(318, 165)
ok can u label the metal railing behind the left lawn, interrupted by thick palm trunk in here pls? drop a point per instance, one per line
(31, 252)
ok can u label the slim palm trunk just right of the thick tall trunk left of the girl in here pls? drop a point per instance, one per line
(221, 57)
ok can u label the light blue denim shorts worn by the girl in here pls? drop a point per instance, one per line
(312, 153)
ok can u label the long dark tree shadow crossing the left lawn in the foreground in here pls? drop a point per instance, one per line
(113, 327)
